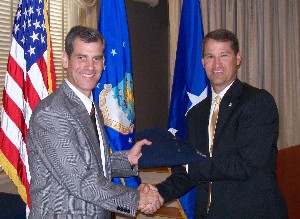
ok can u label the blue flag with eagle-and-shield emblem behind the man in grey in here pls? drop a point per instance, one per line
(114, 91)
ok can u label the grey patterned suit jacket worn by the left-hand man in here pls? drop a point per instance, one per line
(67, 179)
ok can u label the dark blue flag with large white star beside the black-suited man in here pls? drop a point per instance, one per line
(190, 84)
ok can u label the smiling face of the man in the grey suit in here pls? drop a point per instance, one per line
(84, 66)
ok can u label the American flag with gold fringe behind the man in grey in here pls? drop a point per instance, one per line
(29, 78)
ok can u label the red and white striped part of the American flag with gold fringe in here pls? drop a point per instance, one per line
(22, 91)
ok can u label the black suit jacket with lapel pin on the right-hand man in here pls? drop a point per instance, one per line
(242, 169)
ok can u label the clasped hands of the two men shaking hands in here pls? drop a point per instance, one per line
(150, 199)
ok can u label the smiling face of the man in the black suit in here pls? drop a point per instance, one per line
(220, 63)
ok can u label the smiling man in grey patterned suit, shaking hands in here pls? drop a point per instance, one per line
(70, 165)
